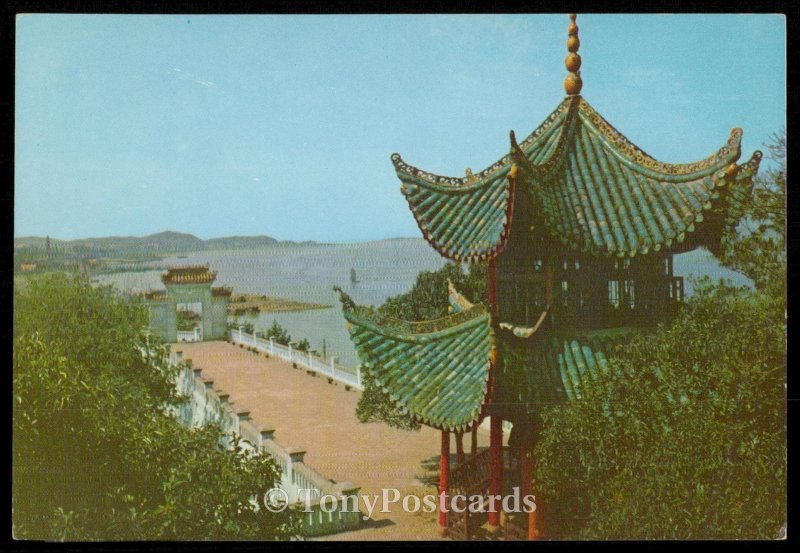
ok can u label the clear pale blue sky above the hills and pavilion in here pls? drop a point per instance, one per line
(283, 125)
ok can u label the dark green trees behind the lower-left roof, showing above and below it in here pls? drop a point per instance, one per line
(427, 299)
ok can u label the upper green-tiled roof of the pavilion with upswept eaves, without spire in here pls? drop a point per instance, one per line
(591, 187)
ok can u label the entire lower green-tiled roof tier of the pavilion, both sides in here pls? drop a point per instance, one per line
(438, 371)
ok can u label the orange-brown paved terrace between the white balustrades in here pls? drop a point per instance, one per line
(319, 417)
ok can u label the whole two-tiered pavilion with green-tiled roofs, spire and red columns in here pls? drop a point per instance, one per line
(578, 227)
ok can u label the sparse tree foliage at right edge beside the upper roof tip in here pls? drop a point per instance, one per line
(759, 249)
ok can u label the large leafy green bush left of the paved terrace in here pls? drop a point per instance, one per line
(96, 451)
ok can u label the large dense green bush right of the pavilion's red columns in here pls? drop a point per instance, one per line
(685, 438)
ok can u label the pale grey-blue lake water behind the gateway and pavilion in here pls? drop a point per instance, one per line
(308, 273)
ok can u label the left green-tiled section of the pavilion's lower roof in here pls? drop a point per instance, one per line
(437, 371)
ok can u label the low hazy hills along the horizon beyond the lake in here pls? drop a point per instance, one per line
(161, 243)
